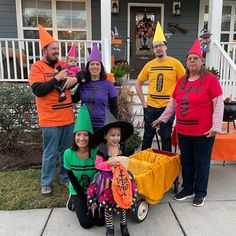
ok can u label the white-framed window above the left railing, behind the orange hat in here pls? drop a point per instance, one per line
(63, 19)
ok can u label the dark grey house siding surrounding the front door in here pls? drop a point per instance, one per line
(178, 43)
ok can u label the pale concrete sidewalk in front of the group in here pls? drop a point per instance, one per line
(168, 218)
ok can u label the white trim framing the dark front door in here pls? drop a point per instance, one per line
(128, 20)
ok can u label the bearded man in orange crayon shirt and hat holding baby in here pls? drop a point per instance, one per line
(56, 119)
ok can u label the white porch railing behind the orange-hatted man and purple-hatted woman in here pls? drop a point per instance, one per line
(17, 56)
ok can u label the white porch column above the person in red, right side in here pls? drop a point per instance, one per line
(214, 26)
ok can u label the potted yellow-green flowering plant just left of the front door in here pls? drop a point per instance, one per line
(121, 71)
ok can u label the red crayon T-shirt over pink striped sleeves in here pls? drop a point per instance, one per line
(194, 108)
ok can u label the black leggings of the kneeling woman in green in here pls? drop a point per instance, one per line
(86, 218)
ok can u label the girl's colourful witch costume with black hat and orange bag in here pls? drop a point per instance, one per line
(112, 188)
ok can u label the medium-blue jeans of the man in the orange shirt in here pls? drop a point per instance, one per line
(55, 141)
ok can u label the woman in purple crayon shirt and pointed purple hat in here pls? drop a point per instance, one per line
(97, 92)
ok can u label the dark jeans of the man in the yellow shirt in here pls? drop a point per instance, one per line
(151, 114)
